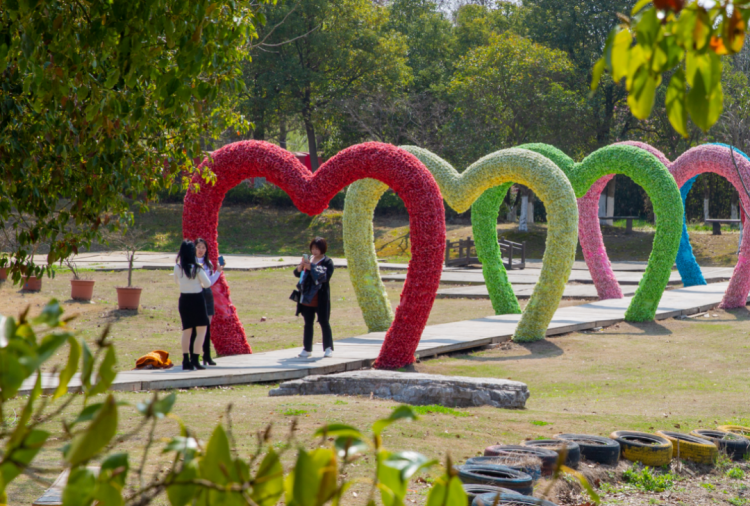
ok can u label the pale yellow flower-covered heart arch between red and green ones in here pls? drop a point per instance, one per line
(460, 191)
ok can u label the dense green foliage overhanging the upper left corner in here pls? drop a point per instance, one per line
(102, 102)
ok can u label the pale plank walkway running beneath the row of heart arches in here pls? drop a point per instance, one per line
(360, 352)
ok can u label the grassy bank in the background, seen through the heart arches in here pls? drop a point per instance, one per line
(258, 230)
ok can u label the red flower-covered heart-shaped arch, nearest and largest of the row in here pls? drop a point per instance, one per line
(311, 193)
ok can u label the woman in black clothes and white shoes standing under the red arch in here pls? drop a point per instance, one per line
(315, 295)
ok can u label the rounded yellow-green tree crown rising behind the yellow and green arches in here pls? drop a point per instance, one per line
(514, 91)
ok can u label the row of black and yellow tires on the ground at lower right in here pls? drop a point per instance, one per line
(506, 474)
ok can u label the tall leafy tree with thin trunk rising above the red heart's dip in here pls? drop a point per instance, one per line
(316, 52)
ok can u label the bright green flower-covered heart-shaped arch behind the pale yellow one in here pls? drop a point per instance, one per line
(645, 170)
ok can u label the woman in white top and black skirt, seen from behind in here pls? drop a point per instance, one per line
(192, 280)
